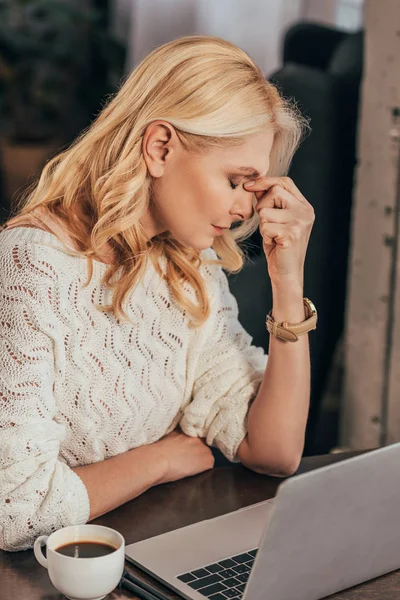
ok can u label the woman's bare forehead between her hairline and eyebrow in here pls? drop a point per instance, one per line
(253, 152)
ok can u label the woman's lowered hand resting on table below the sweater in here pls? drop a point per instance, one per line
(183, 456)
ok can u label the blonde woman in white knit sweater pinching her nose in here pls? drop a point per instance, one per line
(122, 358)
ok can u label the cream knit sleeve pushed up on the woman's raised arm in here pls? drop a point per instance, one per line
(229, 370)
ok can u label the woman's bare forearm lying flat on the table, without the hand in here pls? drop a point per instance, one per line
(117, 480)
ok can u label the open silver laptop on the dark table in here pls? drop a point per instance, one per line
(325, 530)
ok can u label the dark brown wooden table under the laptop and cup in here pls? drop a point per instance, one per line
(171, 506)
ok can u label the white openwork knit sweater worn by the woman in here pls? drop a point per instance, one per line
(78, 386)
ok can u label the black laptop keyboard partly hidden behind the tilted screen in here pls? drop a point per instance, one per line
(224, 579)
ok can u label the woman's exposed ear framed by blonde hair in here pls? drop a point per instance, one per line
(159, 142)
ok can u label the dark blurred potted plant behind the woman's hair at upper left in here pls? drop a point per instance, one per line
(50, 80)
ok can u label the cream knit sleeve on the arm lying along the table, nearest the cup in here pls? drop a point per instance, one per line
(39, 493)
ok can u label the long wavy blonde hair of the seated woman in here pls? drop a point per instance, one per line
(213, 94)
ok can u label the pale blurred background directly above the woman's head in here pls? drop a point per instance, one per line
(257, 26)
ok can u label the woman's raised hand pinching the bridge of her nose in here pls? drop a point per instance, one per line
(286, 221)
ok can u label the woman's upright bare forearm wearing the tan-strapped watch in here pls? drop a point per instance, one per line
(278, 415)
